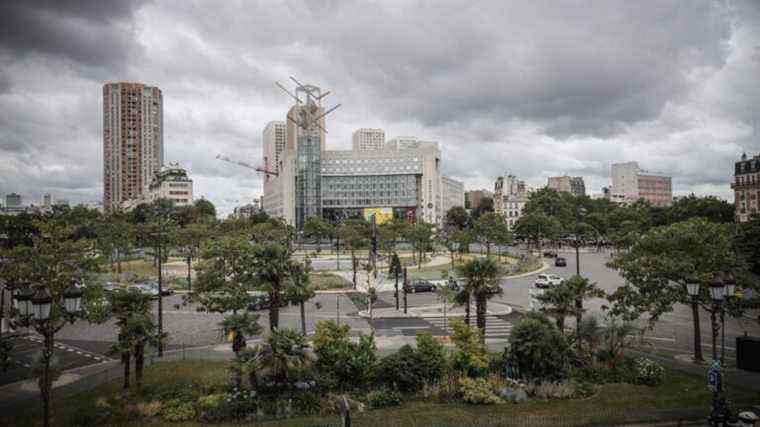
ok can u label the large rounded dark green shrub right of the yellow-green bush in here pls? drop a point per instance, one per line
(538, 349)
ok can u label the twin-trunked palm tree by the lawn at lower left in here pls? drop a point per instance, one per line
(131, 309)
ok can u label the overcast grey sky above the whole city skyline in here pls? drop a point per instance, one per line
(532, 88)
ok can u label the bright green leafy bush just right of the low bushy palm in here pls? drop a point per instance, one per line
(342, 364)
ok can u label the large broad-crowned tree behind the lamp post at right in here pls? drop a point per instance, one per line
(657, 265)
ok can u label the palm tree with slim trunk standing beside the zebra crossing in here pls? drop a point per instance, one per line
(482, 279)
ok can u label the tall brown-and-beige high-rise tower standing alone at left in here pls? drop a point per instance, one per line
(133, 141)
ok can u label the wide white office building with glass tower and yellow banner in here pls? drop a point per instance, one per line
(399, 180)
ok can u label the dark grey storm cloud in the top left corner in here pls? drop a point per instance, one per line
(95, 34)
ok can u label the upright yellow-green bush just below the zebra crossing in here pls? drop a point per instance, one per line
(471, 355)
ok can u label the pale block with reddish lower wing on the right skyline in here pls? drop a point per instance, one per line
(634, 183)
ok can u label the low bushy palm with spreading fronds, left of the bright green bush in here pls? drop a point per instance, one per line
(280, 360)
